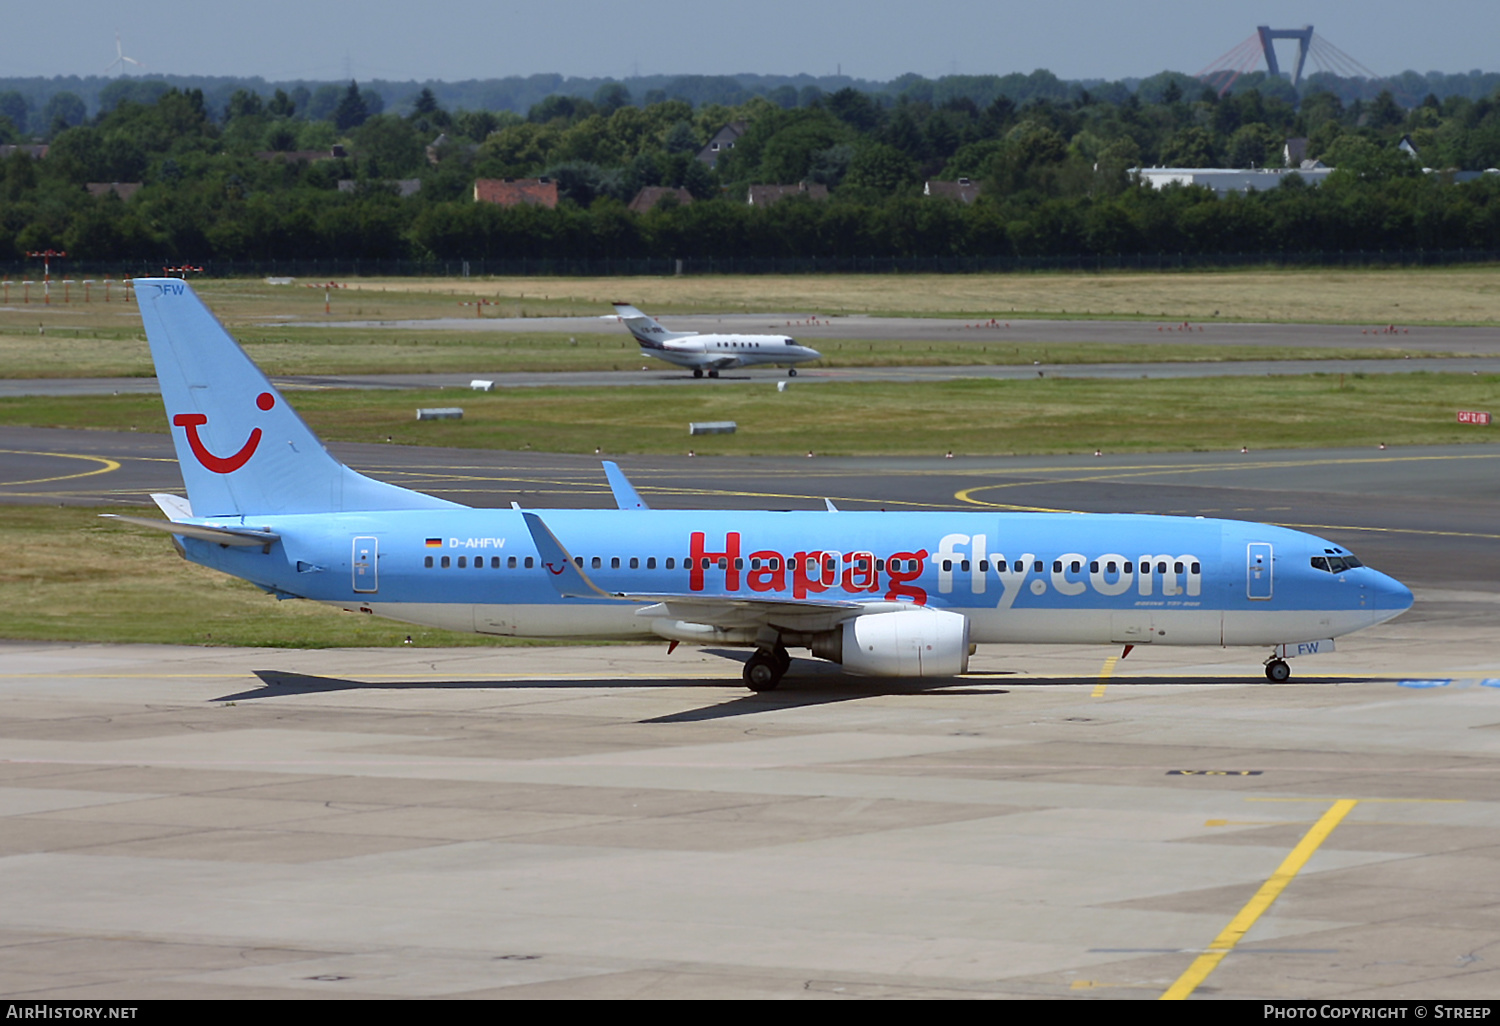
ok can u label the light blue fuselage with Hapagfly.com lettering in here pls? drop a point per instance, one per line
(1016, 577)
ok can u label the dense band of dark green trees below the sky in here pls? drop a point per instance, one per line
(1055, 176)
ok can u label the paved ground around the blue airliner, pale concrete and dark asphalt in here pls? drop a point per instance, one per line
(620, 823)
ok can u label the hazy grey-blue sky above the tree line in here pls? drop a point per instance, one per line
(875, 40)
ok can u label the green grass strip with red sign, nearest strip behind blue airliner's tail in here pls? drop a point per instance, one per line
(965, 418)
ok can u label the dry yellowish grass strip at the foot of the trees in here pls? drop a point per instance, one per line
(1300, 295)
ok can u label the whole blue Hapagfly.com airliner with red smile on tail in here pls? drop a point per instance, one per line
(887, 595)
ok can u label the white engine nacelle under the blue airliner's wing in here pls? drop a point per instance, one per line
(914, 643)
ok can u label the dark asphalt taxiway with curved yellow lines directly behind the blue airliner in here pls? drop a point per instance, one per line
(1427, 515)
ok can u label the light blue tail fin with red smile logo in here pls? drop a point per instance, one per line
(242, 449)
